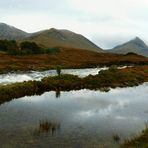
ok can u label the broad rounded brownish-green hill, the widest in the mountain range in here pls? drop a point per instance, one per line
(62, 38)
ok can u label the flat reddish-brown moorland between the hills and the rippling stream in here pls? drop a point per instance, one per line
(66, 58)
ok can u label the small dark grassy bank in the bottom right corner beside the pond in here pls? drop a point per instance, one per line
(140, 141)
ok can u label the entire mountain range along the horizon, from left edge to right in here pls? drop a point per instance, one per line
(64, 38)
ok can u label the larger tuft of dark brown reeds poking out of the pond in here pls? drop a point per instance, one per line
(48, 127)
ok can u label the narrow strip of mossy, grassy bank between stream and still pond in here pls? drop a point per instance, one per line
(113, 77)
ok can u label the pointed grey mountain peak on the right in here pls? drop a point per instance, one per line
(136, 46)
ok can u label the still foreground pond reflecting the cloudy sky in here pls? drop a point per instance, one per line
(74, 119)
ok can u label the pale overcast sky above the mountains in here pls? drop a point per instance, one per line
(105, 22)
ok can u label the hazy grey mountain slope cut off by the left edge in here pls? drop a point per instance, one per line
(11, 33)
